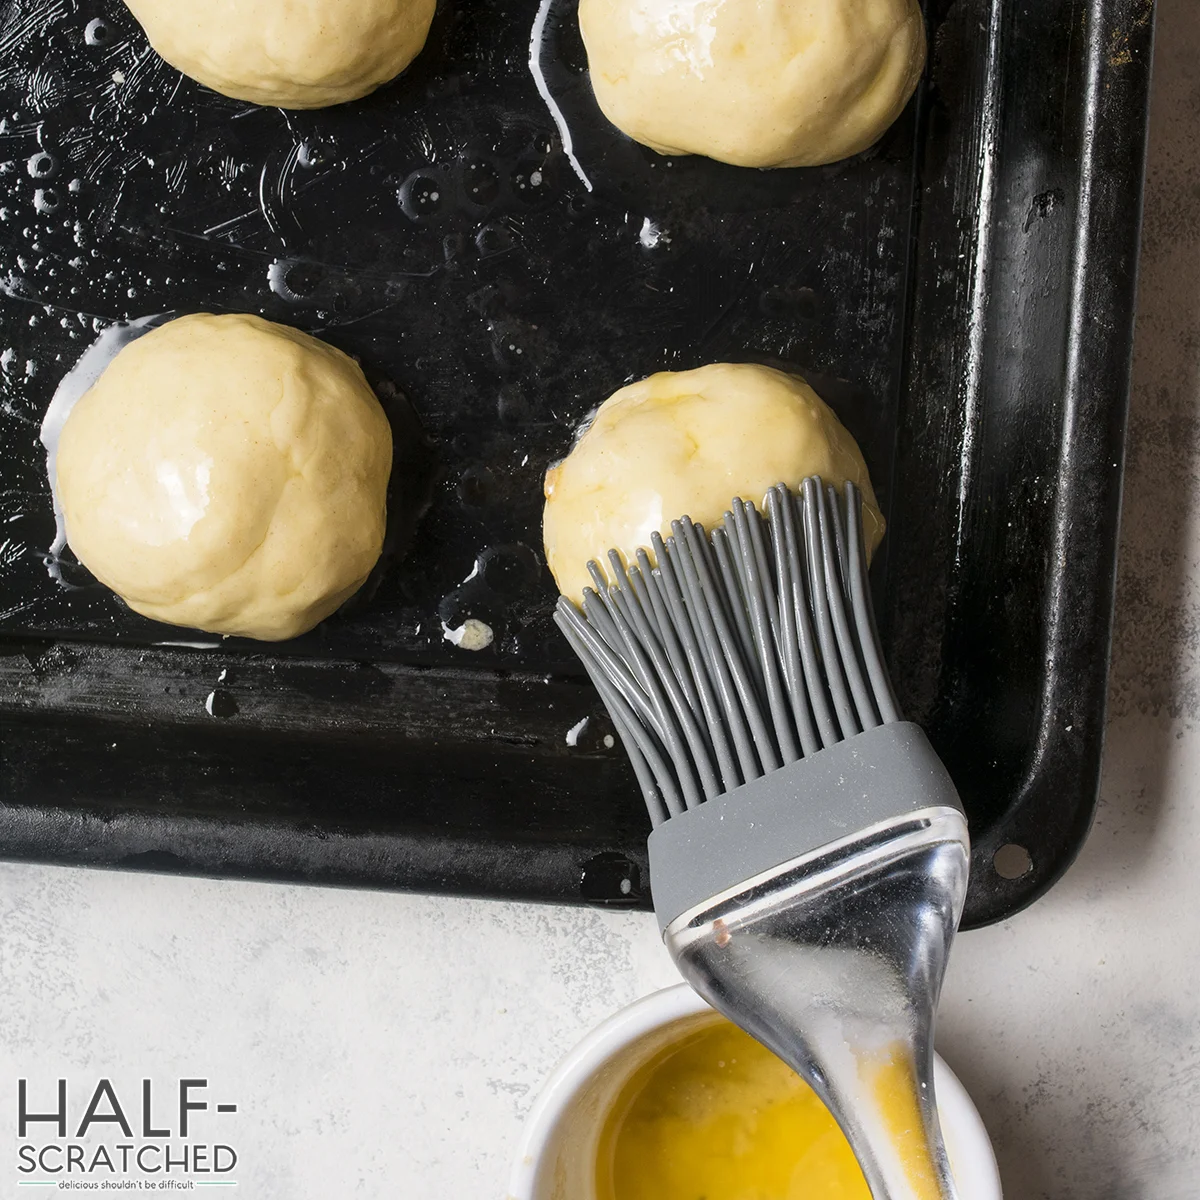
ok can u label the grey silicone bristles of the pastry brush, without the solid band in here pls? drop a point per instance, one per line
(725, 657)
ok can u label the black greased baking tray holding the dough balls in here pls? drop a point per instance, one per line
(963, 295)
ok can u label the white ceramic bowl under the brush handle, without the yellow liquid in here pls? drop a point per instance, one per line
(557, 1156)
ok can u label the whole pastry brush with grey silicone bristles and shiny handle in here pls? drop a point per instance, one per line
(809, 854)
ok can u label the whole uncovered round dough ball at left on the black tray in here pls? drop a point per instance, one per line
(229, 475)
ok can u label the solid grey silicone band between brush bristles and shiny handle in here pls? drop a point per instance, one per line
(837, 796)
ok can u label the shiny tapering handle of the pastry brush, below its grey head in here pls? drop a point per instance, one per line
(836, 961)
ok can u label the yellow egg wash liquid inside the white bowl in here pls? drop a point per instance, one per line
(721, 1118)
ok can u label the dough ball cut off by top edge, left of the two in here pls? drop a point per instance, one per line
(287, 53)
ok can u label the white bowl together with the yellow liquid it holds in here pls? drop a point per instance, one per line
(668, 1101)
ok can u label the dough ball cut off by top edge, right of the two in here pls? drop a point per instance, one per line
(755, 83)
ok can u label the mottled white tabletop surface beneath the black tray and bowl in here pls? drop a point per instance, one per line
(388, 1046)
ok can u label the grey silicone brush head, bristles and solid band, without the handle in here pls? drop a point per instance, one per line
(745, 675)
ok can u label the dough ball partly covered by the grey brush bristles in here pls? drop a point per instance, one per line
(685, 445)
